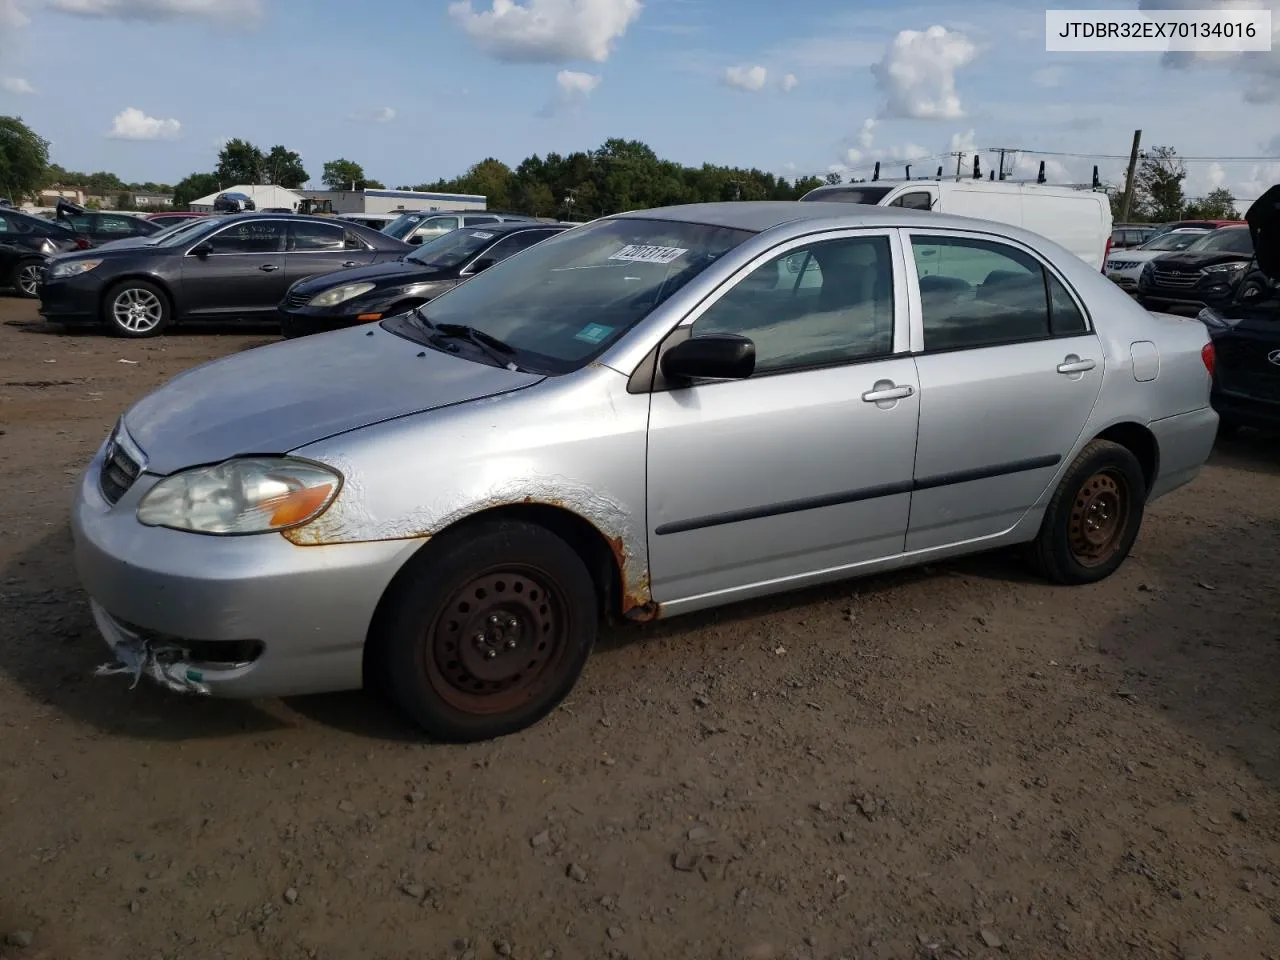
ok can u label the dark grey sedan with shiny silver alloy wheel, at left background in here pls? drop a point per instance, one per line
(225, 268)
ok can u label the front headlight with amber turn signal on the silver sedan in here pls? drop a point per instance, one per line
(250, 496)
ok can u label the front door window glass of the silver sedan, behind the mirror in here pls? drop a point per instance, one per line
(831, 303)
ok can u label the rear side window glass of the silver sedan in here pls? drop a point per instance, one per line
(979, 294)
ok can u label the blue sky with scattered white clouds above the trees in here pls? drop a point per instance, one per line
(418, 90)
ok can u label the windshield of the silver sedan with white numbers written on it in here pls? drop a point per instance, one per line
(568, 299)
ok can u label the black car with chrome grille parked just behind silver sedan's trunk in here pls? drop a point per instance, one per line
(1206, 275)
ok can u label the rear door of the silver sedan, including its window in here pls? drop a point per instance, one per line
(1009, 373)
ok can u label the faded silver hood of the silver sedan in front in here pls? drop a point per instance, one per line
(284, 396)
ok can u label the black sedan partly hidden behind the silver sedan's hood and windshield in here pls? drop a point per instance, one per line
(371, 294)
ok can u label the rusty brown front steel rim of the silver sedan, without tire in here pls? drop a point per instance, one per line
(499, 641)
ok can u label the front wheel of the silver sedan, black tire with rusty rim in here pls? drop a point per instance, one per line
(524, 611)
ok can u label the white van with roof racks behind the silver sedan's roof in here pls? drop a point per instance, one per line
(1077, 220)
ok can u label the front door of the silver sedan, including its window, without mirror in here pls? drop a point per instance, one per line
(806, 467)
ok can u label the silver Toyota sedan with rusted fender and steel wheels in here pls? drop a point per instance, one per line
(652, 414)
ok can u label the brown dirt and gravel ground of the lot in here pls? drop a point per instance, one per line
(954, 762)
